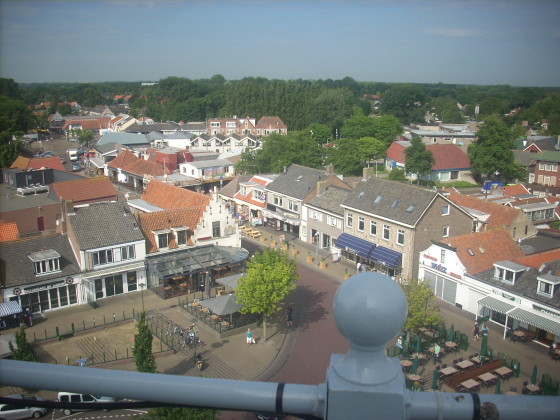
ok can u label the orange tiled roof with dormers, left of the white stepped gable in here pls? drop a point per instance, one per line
(150, 222)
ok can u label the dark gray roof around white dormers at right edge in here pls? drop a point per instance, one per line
(526, 285)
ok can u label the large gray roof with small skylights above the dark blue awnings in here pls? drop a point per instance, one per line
(390, 199)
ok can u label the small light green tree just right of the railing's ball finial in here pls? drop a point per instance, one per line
(422, 310)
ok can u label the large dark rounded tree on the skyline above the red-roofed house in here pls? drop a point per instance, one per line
(407, 102)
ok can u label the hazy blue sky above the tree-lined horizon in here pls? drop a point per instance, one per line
(466, 42)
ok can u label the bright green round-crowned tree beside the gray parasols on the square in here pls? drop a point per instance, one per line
(270, 276)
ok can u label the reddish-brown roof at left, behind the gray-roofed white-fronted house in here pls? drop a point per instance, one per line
(85, 190)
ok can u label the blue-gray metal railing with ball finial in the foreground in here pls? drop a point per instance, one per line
(369, 310)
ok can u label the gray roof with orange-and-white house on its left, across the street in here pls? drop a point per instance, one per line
(297, 182)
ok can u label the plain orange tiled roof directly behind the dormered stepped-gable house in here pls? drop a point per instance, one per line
(170, 197)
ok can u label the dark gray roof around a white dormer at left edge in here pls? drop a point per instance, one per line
(17, 269)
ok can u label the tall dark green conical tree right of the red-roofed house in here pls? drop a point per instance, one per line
(491, 153)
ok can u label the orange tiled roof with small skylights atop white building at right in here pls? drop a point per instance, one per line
(479, 251)
